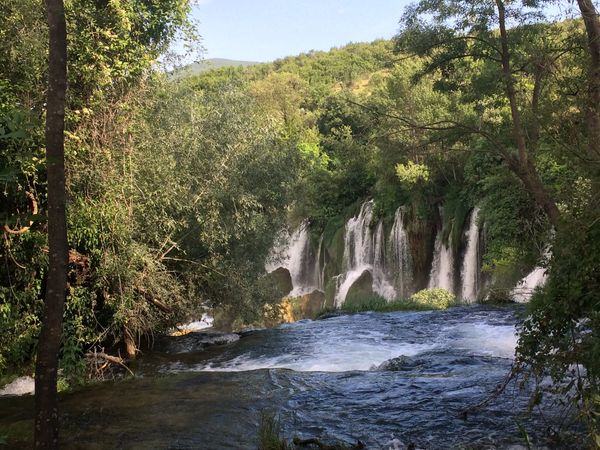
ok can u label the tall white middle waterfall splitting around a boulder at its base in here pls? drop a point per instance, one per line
(363, 250)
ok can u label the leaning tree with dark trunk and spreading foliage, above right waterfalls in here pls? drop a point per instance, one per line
(472, 40)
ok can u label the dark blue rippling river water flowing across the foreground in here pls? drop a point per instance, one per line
(388, 379)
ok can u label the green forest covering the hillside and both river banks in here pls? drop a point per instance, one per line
(178, 187)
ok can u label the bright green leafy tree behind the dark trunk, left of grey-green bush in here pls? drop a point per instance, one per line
(113, 49)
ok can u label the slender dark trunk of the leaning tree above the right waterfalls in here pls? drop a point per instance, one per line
(525, 169)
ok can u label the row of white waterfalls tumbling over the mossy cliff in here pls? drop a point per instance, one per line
(387, 261)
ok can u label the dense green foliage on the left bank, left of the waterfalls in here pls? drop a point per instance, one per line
(175, 193)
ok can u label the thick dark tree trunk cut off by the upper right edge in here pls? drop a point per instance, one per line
(592, 27)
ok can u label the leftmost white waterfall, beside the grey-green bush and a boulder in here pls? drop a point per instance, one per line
(295, 254)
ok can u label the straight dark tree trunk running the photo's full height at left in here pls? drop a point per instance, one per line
(46, 398)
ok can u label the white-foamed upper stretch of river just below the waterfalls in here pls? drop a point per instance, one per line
(362, 341)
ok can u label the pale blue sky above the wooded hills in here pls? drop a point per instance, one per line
(264, 30)
